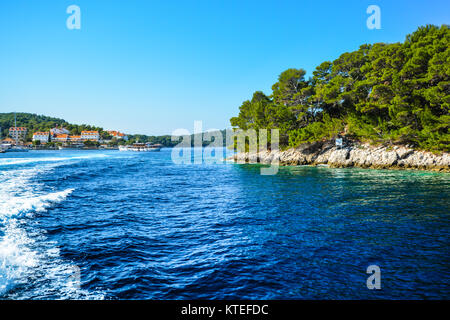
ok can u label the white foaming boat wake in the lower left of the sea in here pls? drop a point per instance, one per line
(30, 264)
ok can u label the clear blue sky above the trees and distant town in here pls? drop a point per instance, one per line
(154, 66)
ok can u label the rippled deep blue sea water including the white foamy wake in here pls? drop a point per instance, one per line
(119, 225)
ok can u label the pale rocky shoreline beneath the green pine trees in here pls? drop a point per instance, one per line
(354, 154)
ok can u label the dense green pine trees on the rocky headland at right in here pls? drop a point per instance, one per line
(382, 93)
